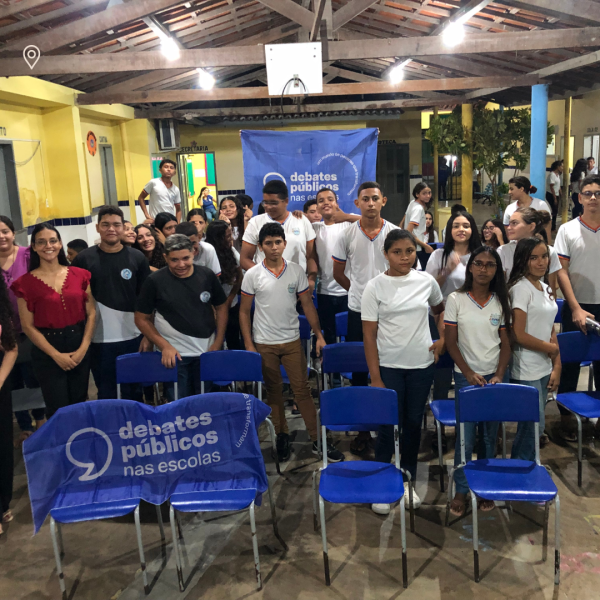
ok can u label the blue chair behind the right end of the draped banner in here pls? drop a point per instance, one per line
(231, 366)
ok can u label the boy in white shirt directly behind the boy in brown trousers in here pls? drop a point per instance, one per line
(299, 232)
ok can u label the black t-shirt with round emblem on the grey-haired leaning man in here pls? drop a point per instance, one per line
(186, 304)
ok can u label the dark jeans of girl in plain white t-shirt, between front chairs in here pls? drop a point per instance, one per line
(412, 387)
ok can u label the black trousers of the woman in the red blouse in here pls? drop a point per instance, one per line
(61, 388)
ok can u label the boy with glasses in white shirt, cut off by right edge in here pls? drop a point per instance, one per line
(578, 247)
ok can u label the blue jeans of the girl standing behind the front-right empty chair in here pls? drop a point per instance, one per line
(487, 434)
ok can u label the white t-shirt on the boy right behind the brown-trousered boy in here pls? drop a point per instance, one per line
(297, 233)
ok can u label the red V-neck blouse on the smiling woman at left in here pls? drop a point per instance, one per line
(50, 309)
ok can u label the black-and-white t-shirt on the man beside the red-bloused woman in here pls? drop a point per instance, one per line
(117, 279)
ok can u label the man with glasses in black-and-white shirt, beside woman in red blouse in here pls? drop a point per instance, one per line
(118, 273)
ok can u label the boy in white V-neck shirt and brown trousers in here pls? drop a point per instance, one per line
(275, 285)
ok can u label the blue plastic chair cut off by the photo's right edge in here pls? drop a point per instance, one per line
(576, 347)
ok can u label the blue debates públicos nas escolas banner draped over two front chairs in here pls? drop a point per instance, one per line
(111, 450)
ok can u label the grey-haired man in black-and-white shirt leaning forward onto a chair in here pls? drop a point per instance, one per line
(175, 312)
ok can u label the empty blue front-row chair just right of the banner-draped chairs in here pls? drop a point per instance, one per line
(360, 482)
